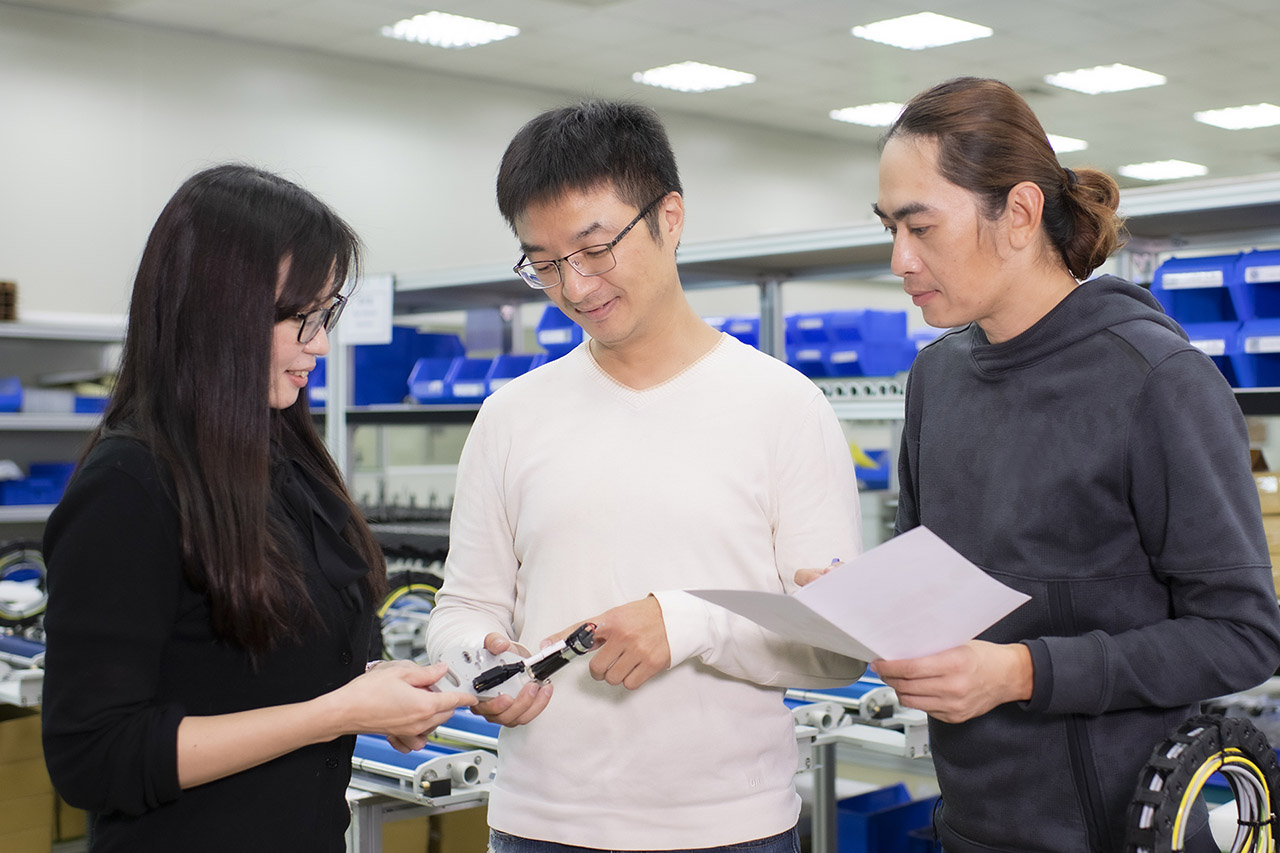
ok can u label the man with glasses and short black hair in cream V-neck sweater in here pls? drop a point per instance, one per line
(659, 457)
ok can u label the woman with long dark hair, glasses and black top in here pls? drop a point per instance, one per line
(212, 583)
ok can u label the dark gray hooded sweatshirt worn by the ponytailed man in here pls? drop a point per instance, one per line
(1098, 463)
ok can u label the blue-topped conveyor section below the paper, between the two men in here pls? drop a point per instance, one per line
(865, 714)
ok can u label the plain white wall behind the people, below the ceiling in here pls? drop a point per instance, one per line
(102, 121)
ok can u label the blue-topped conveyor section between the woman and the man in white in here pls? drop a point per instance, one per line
(437, 777)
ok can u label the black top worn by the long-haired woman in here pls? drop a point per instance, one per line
(131, 653)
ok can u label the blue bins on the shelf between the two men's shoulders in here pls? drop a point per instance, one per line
(860, 343)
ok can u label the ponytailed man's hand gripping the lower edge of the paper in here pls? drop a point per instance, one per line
(962, 683)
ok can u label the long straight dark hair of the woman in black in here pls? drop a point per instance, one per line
(194, 386)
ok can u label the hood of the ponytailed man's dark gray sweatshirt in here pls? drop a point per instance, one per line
(1092, 307)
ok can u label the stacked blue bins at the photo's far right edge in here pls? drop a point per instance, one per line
(1256, 293)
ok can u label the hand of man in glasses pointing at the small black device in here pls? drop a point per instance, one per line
(630, 644)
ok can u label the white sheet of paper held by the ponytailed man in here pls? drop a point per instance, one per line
(908, 597)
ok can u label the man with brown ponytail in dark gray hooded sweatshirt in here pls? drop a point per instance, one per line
(1066, 437)
